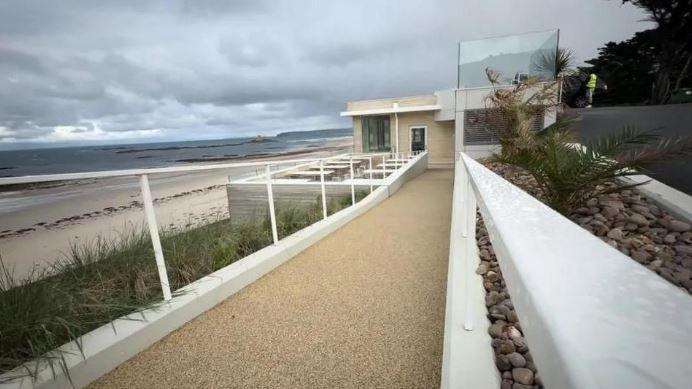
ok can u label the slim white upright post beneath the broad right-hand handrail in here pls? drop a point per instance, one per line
(470, 249)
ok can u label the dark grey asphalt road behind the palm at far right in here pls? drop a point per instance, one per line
(667, 120)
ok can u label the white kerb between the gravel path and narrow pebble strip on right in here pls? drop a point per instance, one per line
(468, 359)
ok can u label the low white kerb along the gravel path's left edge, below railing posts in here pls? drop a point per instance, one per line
(105, 349)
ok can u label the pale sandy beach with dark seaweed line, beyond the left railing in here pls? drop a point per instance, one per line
(38, 226)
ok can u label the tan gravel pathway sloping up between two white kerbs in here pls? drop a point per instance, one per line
(364, 307)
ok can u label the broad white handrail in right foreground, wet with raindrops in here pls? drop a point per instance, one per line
(593, 317)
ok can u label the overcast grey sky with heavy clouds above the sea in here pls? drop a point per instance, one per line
(115, 71)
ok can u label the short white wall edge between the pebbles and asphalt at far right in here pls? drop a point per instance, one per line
(677, 203)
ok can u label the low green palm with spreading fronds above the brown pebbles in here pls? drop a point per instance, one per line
(568, 173)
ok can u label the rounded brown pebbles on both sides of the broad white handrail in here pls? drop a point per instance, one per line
(626, 220)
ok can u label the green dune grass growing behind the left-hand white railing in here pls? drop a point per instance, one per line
(94, 284)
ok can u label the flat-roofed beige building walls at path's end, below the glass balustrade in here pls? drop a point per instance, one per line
(441, 123)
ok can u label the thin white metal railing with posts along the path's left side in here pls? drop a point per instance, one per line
(148, 203)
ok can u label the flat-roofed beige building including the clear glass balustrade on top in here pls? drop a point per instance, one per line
(458, 119)
